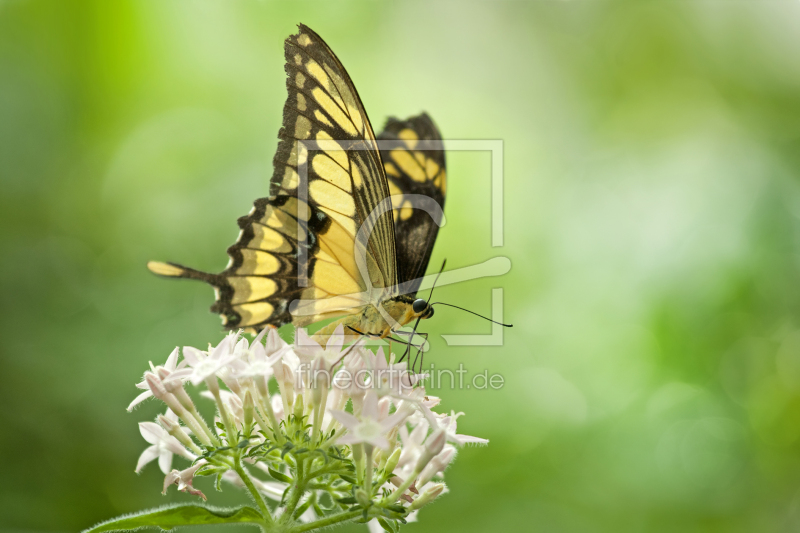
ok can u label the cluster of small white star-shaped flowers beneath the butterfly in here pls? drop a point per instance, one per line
(336, 433)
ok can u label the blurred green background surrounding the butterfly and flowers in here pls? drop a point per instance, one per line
(652, 205)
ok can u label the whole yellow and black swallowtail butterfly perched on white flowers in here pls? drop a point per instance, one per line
(351, 220)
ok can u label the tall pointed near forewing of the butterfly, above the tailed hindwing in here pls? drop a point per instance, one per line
(328, 154)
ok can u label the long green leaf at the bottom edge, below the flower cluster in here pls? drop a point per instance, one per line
(180, 515)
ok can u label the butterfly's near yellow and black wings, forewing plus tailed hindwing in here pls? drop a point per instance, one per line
(297, 253)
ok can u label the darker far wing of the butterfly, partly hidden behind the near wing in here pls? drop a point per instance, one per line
(413, 158)
